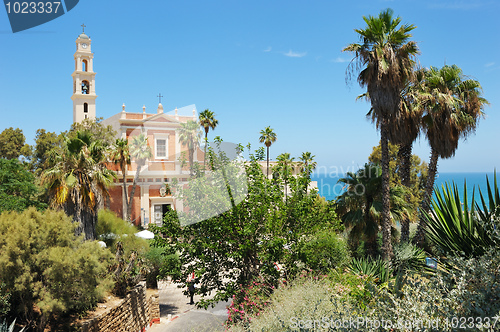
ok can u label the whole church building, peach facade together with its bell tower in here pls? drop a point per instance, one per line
(152, 198)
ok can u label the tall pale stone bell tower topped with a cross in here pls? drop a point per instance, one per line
(83, 80)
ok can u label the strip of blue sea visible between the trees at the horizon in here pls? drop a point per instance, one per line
(329, 187)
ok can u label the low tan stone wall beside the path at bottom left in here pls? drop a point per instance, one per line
(137, 311)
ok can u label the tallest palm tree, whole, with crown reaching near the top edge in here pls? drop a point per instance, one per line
(384, 60)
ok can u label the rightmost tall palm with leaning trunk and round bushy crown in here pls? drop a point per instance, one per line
(453, 105)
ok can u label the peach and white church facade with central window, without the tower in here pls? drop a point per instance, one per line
(152, 197)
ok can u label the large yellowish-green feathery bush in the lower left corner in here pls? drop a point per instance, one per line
(49, 270)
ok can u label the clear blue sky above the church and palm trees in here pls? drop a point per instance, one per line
(253, 63)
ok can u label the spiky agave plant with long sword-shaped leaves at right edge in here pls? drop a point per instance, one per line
(459, 229)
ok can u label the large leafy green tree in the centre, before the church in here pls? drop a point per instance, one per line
(243, 226)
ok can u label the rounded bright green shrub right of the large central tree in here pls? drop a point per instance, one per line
(323, 251)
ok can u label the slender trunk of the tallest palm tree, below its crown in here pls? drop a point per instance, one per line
(386, 209)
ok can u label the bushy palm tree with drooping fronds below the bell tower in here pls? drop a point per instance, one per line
(78, 180)
